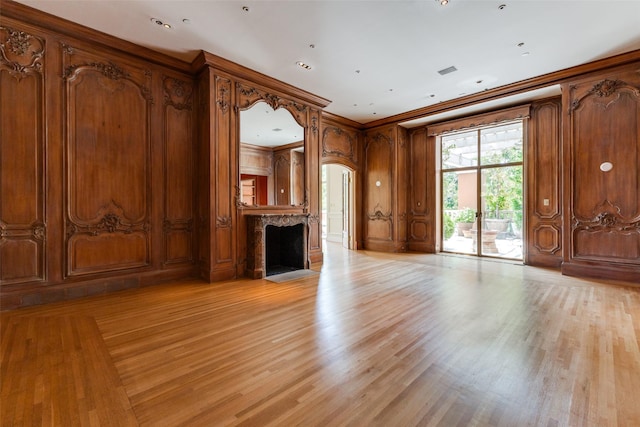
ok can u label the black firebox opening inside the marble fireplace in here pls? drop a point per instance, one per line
(284, 247)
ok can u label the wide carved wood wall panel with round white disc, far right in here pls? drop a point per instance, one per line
(603, 223)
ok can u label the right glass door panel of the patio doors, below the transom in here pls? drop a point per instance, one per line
(501, 201)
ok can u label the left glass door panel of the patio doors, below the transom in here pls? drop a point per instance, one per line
(459, 202)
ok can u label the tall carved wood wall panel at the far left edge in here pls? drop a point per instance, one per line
(23, 228)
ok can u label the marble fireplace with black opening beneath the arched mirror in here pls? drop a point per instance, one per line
(276, 243)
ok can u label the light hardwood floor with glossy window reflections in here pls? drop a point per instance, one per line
(373, 340)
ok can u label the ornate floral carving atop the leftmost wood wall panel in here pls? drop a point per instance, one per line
(20, 52)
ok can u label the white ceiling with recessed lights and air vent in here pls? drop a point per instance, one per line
(375, 58)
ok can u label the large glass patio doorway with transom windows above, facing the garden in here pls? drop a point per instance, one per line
(481, 201)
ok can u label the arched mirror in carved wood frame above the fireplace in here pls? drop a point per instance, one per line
(272, 158)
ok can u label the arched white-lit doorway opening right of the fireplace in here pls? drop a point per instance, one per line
(337, 205)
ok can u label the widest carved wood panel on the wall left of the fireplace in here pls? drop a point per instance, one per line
(108, 157)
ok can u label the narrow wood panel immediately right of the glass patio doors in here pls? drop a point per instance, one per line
(543, 164)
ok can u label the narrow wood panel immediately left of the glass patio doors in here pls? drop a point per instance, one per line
(422, 182)
